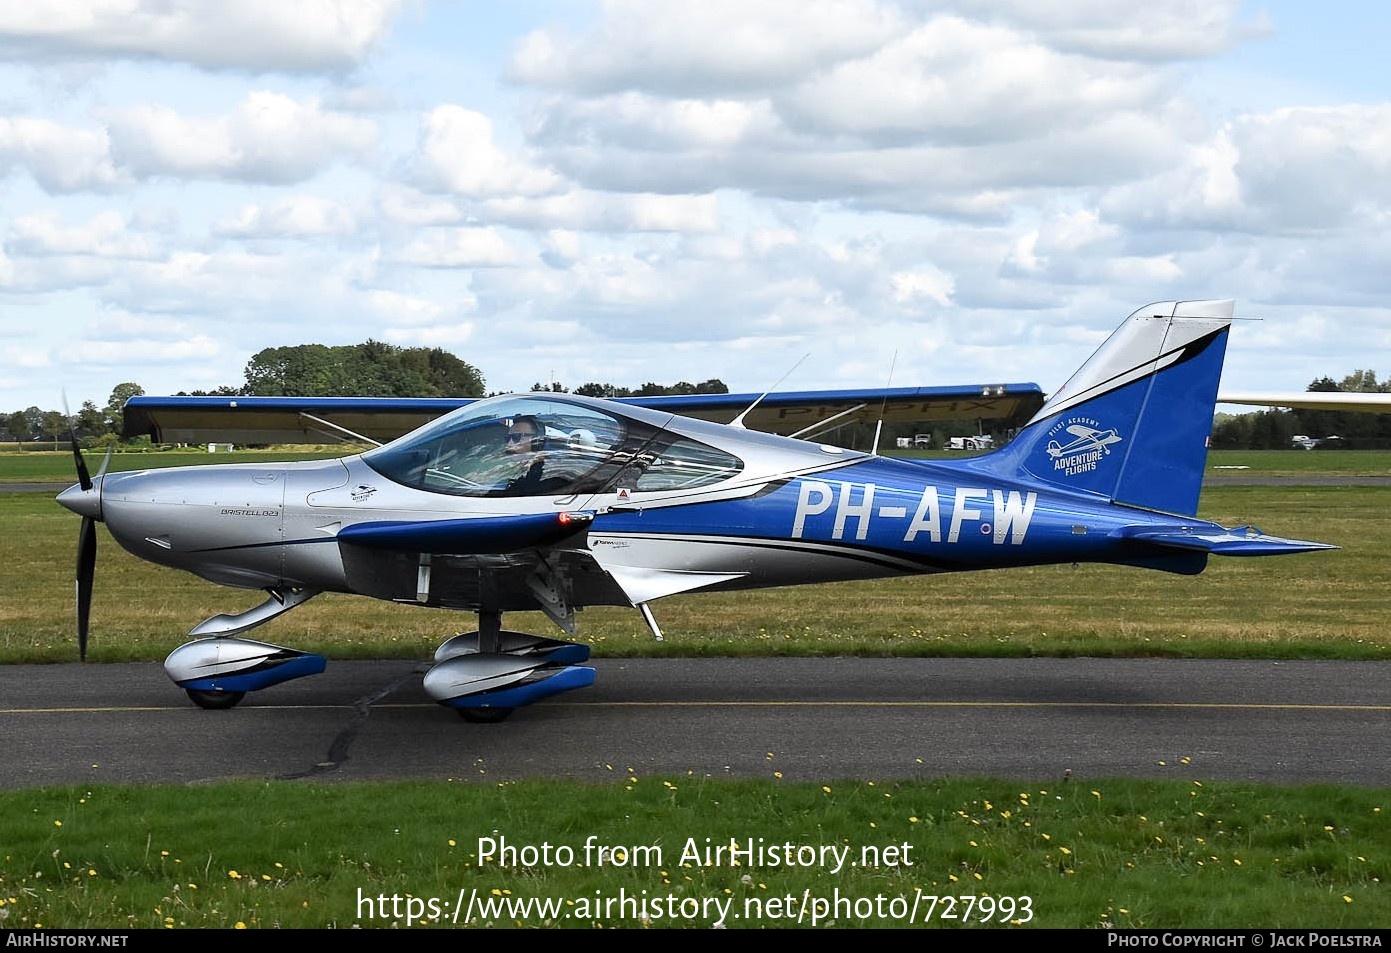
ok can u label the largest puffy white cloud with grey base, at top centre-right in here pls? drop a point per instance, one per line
(947, 116)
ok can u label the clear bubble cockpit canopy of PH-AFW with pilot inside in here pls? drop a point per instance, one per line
(532, 446)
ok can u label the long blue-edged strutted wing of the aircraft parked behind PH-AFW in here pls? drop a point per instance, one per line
(326, 419)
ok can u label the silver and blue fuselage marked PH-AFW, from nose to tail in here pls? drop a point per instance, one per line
(677, 504)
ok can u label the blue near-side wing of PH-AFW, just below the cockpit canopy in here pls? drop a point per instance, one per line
(467, 536)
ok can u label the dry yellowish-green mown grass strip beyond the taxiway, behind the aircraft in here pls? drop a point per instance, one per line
(1311, 606)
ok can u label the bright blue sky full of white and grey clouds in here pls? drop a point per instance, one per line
(628, 191)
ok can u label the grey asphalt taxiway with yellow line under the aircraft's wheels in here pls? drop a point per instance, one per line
(1041, 720)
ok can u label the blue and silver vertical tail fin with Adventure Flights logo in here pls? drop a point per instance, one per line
(1133, 424)
